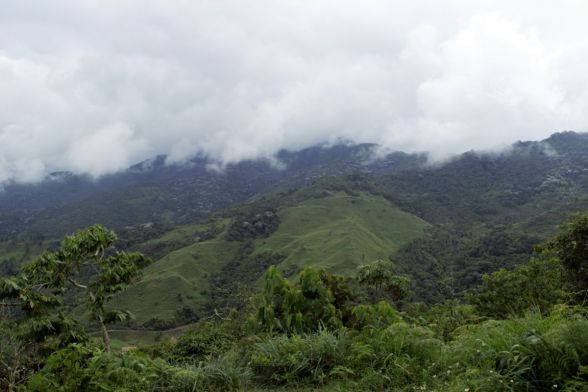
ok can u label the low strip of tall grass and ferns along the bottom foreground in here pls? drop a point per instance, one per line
(533, 352)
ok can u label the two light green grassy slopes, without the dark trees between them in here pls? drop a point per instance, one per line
(337, 232)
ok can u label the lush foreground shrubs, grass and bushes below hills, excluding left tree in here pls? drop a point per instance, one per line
(319, 333)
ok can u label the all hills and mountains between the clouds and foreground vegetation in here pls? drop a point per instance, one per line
(336, 207)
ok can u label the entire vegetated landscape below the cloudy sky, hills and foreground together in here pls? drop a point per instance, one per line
(376, 279)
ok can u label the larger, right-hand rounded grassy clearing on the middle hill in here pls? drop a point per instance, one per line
(340, 232)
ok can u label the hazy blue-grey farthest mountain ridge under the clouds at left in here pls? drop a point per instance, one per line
(156, 193)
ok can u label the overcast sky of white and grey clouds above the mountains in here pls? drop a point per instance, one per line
(94, 86)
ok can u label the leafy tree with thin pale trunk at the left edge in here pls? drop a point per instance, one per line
(86, 262)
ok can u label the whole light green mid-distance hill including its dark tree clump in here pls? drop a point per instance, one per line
(225, 261)
